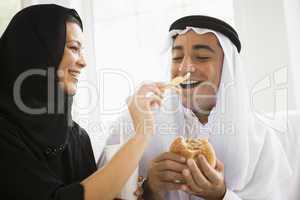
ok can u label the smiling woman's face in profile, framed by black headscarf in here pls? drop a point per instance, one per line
(73, 60)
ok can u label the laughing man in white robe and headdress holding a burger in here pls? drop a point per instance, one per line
(251, 162)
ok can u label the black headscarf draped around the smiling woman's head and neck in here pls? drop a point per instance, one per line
(34, 41)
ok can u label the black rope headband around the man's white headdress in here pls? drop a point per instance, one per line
(215, 24)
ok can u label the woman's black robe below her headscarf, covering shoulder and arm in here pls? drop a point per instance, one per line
(26, 177)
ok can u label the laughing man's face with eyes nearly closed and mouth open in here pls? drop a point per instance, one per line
(203, 57)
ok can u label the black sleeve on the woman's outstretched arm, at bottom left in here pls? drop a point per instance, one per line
(24, 177)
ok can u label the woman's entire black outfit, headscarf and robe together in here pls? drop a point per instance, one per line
(42, 155)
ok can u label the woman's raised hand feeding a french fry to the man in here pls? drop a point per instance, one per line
(140, 107)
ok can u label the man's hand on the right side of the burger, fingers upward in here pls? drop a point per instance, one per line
(204, 181)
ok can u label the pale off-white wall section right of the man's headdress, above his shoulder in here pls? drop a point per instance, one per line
(262, 28)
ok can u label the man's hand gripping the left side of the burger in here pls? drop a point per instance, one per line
(165, 174)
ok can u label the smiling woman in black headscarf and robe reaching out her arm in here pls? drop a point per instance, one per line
(44, 154)
